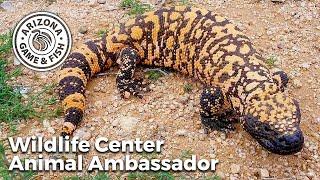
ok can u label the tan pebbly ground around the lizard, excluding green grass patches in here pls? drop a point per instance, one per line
(286, 30)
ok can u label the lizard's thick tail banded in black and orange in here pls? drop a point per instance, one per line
(86, 61)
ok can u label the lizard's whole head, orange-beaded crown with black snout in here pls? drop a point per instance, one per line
(273, 120)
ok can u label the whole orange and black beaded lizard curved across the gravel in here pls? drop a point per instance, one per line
(197, 43)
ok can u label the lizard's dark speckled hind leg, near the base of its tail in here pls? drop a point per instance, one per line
(126, 83)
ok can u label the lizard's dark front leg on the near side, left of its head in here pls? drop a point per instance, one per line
(215, 110)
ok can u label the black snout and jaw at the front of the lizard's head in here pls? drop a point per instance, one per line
(272, 140)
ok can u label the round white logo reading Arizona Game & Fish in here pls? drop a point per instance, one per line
(42, 41)
